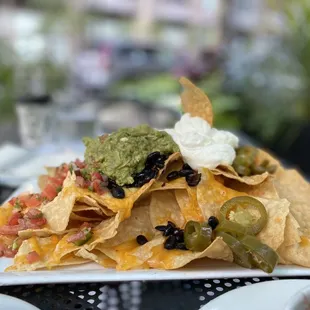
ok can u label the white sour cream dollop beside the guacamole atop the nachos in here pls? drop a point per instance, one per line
(203, 146)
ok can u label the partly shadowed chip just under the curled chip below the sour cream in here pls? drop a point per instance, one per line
(266, 189)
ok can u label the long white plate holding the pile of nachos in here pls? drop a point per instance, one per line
(201, 269)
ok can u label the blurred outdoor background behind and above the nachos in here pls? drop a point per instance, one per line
(85, 67)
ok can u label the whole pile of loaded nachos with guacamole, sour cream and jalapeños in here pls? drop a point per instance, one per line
(145, 198)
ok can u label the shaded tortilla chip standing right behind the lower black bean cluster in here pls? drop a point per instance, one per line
(164, 207)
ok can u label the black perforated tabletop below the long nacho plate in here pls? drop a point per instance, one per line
(172, 295)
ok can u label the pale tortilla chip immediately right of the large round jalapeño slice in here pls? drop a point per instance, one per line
(273, 233)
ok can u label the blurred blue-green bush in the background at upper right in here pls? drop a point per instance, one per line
(272, 77)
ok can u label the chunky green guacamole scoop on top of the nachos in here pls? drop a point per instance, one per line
(124, 152)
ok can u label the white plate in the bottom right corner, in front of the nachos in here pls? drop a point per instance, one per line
(270, 295)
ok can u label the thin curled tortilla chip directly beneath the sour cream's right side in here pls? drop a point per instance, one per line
(230, 173)
